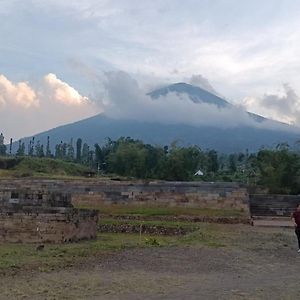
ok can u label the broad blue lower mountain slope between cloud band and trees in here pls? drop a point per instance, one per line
(97, 128)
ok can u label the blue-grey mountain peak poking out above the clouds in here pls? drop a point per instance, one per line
(195, 93)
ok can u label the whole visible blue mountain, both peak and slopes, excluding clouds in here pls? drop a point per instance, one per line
(96, 129)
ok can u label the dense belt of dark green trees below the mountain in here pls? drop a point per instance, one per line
(275, 169)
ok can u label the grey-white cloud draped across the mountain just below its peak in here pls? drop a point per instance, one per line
(126, 100)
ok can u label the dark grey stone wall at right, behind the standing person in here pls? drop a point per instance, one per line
(273, 205)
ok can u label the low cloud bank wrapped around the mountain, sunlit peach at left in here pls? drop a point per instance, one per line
(26, 109)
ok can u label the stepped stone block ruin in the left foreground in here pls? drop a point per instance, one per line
(28, 216)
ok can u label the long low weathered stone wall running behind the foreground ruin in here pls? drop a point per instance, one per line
(156, 193)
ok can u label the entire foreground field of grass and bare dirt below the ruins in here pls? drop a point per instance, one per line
(214, 262)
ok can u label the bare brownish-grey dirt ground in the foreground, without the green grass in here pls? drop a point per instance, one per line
(253, 263)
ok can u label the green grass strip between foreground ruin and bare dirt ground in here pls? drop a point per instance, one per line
(16, 257)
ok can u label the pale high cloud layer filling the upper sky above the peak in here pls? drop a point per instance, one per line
(242, 47)
